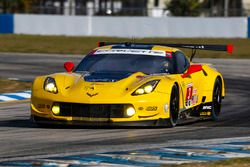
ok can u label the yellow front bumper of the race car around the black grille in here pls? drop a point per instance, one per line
(148, 108)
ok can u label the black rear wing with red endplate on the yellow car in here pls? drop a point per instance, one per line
(228, 48)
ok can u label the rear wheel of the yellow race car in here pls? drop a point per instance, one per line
(217, 98)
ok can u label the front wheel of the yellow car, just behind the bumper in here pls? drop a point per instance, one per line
(173, 107)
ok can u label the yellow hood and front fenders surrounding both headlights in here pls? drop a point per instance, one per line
(81, 88)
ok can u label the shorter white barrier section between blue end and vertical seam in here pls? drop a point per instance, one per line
(50, 25)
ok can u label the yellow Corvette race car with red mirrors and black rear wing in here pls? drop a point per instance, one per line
(131, 84)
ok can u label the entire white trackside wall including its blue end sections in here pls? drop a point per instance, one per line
(139, 27)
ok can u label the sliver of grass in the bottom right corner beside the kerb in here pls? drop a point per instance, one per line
(235, 162)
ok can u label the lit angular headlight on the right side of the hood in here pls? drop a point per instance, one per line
(146, 88)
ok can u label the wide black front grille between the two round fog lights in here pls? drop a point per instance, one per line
(92, 110)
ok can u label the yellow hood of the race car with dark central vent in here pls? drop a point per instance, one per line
(92, 87)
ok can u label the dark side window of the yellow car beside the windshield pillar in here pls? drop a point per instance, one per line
(182, 62)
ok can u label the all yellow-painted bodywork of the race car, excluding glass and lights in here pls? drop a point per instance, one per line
(72, 88)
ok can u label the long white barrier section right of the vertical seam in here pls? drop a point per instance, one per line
(169, 27)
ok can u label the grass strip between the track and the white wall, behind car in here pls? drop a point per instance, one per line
(82, 45)
